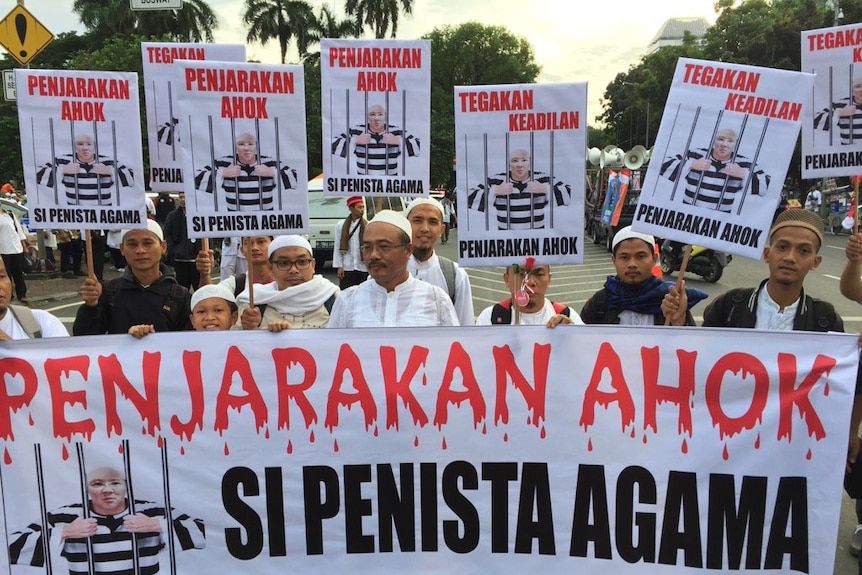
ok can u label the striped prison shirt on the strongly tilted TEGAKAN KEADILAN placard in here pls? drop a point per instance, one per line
(713, 181)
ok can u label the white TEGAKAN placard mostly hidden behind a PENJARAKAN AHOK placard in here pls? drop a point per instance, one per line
(166, 166)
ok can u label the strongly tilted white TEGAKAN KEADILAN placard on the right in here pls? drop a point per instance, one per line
(722, 151)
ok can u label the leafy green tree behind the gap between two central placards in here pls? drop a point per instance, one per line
(471, 54)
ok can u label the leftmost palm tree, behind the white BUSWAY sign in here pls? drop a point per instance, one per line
(194, 22)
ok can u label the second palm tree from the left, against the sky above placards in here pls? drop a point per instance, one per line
(281, 20)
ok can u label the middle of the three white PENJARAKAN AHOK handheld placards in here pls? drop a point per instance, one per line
(243, 140)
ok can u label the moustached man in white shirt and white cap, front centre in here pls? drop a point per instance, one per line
(391, 297)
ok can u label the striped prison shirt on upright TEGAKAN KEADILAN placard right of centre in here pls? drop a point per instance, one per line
(514, 211)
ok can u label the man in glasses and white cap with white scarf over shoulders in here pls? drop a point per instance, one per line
(297, 298)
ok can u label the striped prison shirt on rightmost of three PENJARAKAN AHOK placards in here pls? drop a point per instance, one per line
(382, 159)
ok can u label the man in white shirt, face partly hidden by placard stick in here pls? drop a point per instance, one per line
(528, 285)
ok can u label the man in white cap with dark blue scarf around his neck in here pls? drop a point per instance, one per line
(635, 296)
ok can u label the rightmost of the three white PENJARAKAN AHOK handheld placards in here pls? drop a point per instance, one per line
(376, 102)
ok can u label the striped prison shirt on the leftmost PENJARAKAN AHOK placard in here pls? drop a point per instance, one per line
(92, 189)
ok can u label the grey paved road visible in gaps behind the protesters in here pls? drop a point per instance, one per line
(573, 285)
